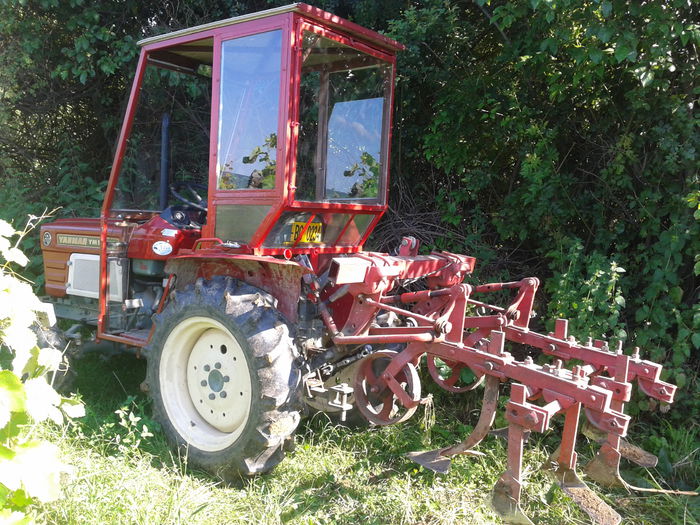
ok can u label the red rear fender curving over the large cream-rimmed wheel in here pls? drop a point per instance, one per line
(280, 278)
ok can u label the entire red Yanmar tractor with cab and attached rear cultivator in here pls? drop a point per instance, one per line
(250, 170)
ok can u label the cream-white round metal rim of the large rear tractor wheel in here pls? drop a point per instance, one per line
(205, 383)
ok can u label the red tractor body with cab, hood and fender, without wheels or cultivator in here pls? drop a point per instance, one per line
(262, 136)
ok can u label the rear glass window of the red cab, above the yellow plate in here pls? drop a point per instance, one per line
(343, 123)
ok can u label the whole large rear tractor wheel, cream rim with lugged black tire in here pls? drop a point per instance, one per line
(222, 377)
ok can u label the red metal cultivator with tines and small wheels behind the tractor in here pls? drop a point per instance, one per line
(439, 327)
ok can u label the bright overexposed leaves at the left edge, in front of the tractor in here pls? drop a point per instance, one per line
(29, 468)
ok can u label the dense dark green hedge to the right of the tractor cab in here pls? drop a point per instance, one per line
(563, 144)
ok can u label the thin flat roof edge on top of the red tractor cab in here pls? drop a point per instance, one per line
(306, 10)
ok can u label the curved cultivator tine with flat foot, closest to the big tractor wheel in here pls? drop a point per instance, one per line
(439, 460)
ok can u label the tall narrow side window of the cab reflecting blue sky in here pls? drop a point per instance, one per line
(249, 111)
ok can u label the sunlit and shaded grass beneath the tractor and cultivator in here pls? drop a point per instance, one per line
(334, 475)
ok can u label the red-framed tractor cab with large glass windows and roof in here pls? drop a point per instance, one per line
(267, 134)
